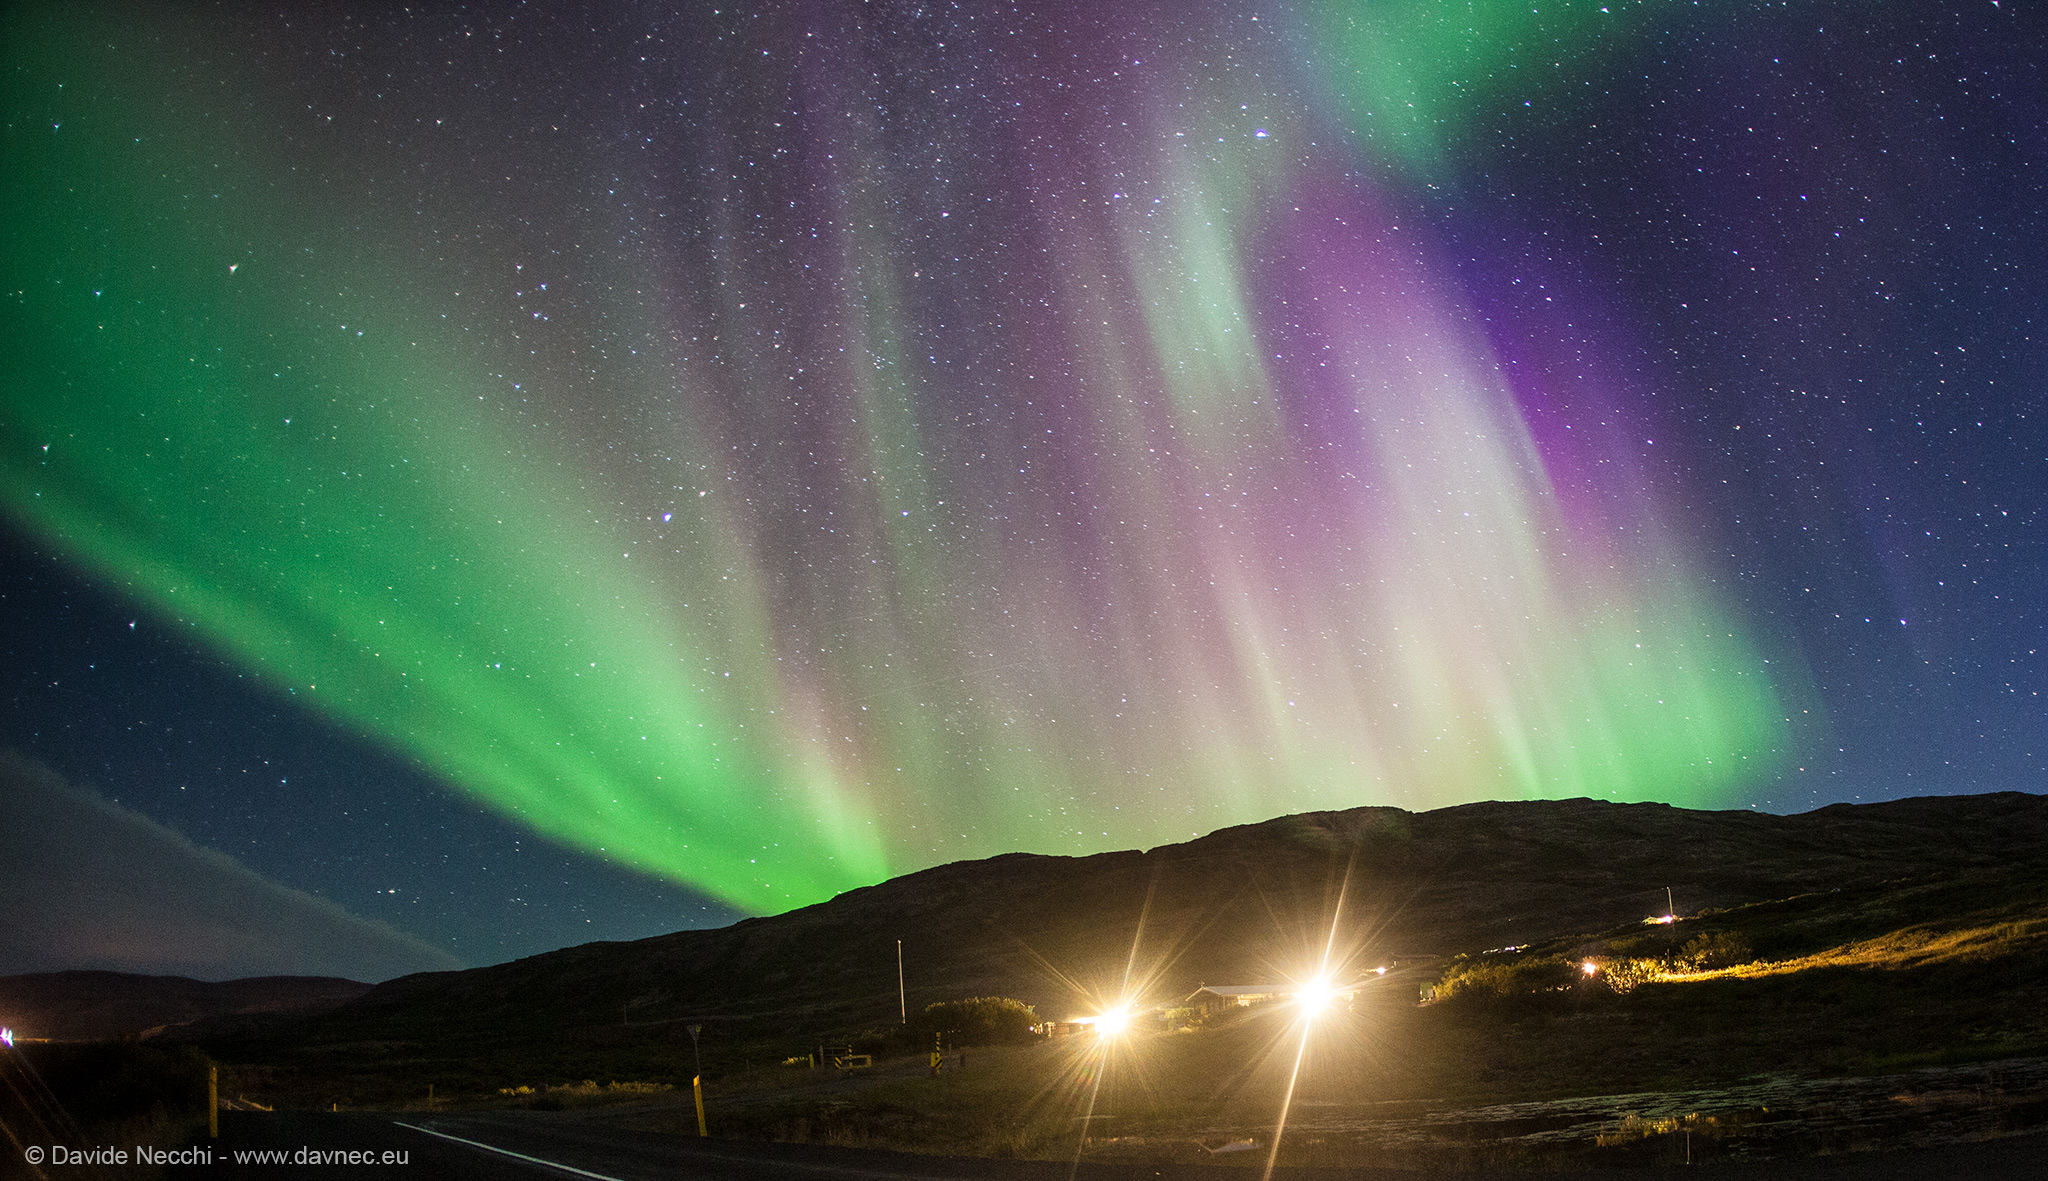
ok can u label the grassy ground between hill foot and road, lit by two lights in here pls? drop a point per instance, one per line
(1859, 981)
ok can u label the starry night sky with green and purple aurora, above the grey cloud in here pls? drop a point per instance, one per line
(519, 476)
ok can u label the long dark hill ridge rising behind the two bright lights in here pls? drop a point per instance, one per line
(1240, 906)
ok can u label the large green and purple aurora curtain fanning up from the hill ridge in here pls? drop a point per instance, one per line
(779, 570)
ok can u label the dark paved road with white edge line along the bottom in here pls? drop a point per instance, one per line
(521, 1147)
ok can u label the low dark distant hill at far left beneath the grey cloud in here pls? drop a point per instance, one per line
(85, 1006)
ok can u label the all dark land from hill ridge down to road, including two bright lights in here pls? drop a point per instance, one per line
(1854, 983)
